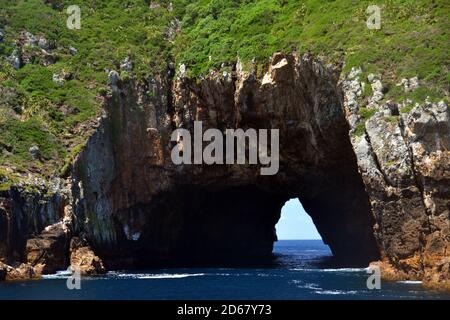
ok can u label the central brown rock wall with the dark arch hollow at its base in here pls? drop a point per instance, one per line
(137, 207)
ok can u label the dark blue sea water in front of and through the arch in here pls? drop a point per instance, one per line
(299, 273)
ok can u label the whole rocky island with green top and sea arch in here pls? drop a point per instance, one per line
(91, 185)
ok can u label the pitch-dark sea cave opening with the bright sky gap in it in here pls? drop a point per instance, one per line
(231, 225)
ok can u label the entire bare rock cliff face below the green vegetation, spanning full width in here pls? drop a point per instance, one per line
(381, 194)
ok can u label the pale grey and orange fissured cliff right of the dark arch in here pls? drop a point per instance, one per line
(404, 160)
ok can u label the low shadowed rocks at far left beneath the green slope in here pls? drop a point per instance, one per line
(34, 230)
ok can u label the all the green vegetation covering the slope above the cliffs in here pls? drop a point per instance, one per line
(202, 34)
